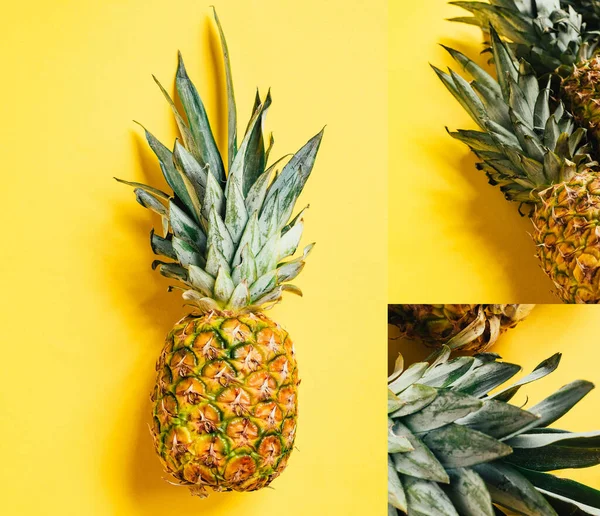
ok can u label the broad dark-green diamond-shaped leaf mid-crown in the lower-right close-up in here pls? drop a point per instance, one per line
(457, 446)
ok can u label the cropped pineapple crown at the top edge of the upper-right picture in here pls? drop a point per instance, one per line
(544, 32)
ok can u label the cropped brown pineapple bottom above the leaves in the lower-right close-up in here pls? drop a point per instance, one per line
(468, 327)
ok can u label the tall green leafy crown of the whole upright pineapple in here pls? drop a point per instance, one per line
(227, 234)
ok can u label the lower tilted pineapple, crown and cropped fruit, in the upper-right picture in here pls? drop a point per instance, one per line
(530, 146)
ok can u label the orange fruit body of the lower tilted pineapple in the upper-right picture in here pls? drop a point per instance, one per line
(566, 232)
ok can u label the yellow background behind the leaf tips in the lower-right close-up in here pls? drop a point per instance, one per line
(569, 329)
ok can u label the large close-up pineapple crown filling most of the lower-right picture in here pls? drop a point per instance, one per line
(454, 448)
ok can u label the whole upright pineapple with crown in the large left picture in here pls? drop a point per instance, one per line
(225, 400)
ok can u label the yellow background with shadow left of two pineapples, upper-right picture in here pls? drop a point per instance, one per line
(452, 236)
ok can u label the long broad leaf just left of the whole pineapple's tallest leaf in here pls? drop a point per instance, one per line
(198, 122)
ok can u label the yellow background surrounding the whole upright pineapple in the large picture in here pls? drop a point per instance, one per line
(83, 316)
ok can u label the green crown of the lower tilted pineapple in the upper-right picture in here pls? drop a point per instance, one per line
(524, 145)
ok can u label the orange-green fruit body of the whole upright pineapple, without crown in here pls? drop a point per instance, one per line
(225, 402)
